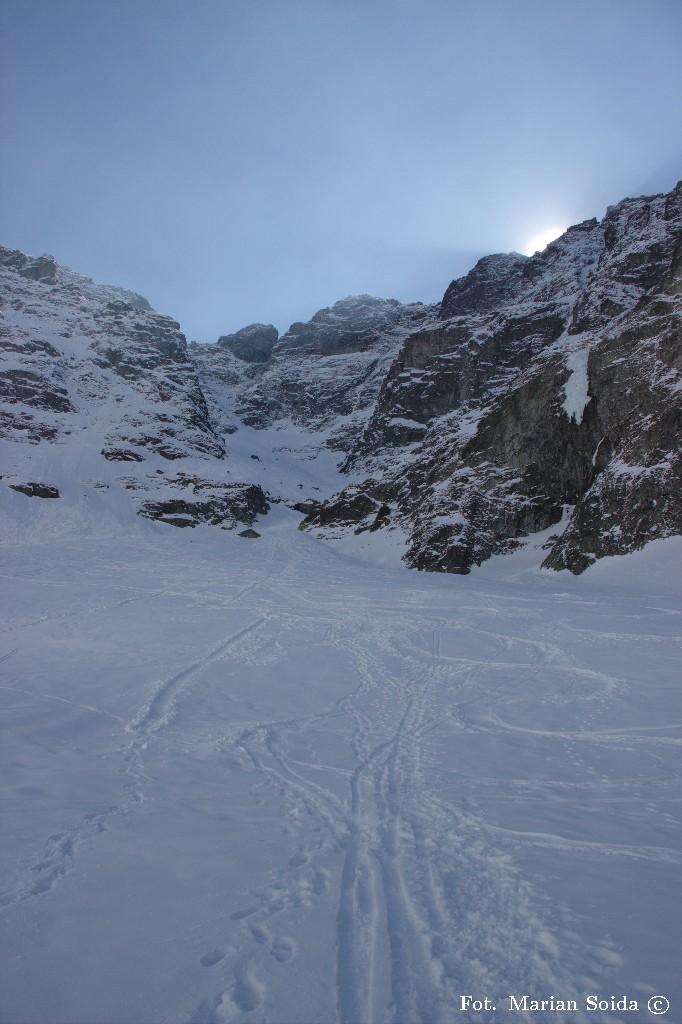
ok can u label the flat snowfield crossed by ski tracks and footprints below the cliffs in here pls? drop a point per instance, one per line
(264, 782)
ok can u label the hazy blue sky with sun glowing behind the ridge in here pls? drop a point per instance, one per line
(241, 161)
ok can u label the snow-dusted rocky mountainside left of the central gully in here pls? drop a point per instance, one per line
(101, 390)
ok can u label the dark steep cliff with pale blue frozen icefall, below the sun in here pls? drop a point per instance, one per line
(547, 396)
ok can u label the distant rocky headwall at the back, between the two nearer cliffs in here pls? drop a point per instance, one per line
(323, 376)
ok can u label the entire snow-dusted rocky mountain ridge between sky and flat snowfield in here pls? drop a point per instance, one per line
(542, 397)
